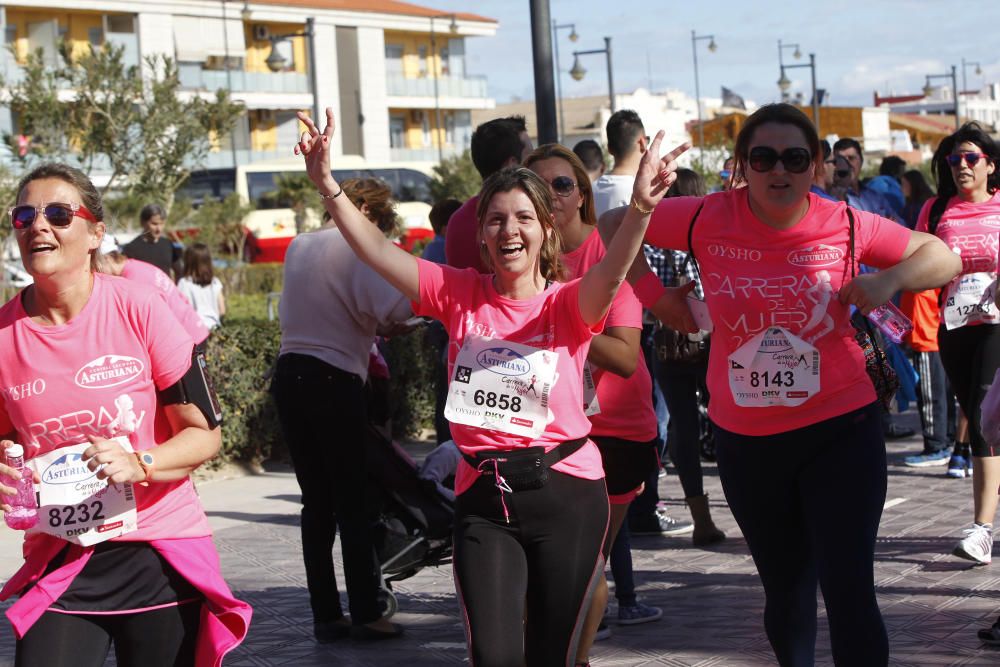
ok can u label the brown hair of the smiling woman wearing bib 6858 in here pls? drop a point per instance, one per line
(537, 190)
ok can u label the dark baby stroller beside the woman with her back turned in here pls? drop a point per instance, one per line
(414, 525)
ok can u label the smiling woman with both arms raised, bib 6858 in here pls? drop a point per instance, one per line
(532, 508)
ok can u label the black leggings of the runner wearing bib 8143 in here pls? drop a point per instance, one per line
(809, 502)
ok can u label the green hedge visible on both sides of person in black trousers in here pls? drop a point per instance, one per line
(241, 354)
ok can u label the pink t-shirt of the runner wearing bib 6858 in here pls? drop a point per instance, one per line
(466, 303)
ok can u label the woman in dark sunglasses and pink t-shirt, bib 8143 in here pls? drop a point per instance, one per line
(798, 435)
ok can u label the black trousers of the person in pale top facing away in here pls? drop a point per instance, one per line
(323, 417)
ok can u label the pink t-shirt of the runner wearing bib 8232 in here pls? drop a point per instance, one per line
(98, 374)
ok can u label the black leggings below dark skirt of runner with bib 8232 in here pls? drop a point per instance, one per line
(160, 638)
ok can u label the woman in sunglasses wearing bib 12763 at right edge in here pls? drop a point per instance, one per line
(966, 216)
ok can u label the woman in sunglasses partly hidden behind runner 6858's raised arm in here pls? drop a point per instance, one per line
(623, 423)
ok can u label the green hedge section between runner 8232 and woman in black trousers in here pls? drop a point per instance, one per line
(240, 355)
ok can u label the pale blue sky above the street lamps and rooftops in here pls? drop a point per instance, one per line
(859, 46)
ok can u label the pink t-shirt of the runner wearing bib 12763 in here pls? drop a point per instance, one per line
(973, 230)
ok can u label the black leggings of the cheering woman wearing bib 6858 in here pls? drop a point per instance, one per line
(526, 586)
